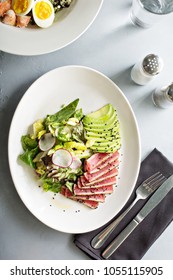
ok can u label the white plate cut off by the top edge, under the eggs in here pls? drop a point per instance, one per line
(70, 24)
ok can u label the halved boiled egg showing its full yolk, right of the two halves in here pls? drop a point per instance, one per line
(43, 13)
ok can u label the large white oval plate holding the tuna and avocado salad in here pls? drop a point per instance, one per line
(45, 96)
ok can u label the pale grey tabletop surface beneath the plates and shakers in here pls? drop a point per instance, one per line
(111, 45)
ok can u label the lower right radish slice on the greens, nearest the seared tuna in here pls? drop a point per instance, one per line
(62, 158)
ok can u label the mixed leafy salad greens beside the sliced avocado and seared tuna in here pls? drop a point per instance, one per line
(67, 129)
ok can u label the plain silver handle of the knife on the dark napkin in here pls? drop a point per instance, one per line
(114, 245)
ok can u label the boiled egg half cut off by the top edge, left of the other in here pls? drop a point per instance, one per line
(22, 7)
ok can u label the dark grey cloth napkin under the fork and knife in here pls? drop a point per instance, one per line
(142, 238)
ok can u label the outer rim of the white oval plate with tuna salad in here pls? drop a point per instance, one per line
(11, 127)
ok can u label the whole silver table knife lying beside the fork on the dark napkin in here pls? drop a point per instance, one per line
(154, 200)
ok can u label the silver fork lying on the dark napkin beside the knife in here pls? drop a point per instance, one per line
(142, 192)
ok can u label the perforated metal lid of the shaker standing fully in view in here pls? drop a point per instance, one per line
(152, 64)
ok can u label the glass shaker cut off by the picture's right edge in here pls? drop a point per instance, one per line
(163, 97)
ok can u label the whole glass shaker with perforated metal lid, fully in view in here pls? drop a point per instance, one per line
(147, 69)
